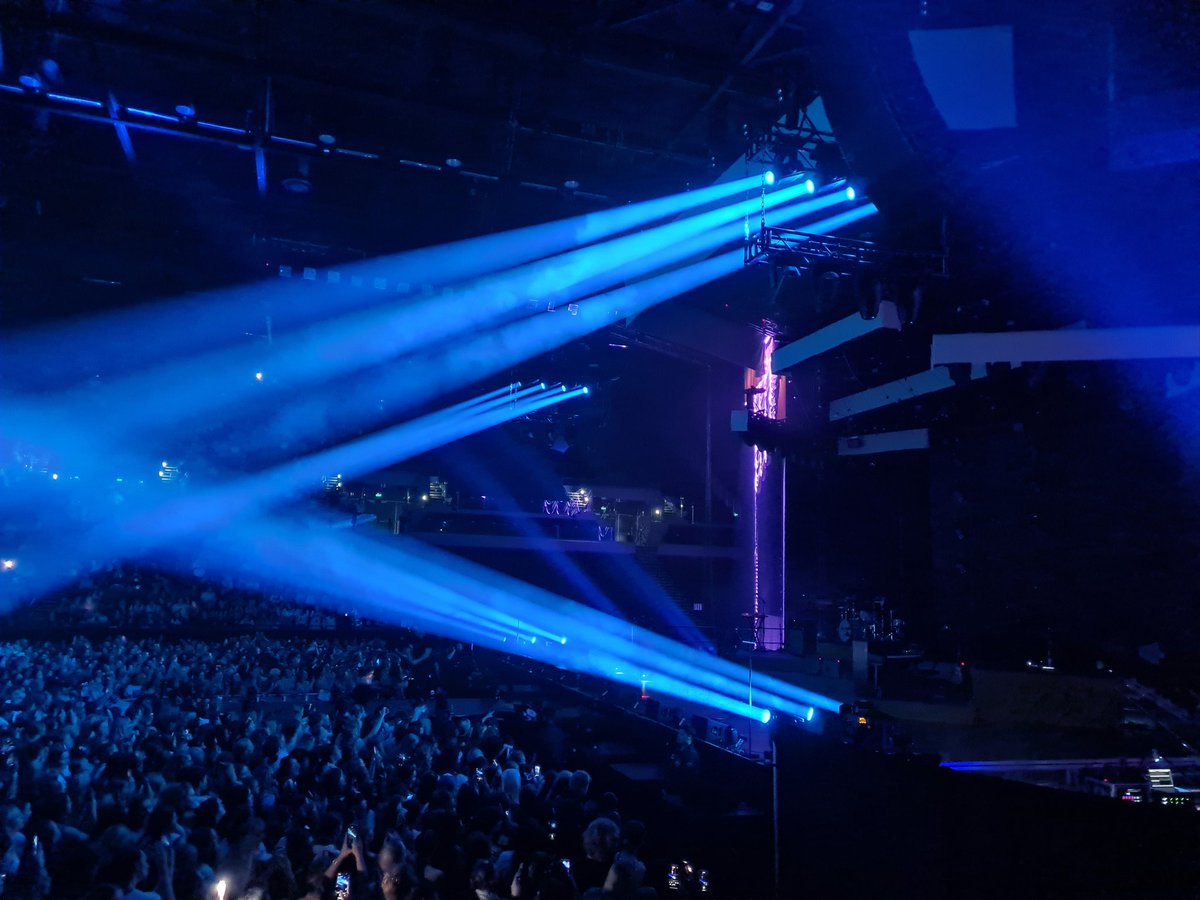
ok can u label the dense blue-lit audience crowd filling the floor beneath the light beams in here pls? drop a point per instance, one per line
(271, 767)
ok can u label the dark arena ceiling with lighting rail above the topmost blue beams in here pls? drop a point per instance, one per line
(335, 124)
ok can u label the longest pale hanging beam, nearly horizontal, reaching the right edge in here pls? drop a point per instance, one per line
(1069, 345)
